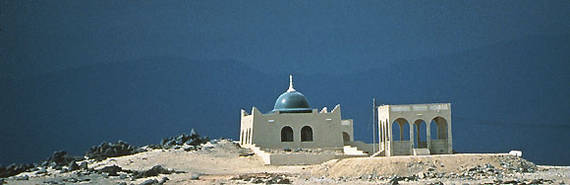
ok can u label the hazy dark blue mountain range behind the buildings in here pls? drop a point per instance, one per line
(504, 96)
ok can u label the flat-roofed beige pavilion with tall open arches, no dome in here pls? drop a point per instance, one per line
(412, 121)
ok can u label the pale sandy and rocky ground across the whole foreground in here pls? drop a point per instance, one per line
(189, 159)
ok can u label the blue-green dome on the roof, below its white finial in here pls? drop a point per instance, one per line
(292, 102)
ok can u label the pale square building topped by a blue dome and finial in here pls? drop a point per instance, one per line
(294, 124)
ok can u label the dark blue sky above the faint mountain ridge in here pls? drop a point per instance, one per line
(282, 36)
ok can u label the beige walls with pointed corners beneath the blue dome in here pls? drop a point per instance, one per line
(326, 126)
